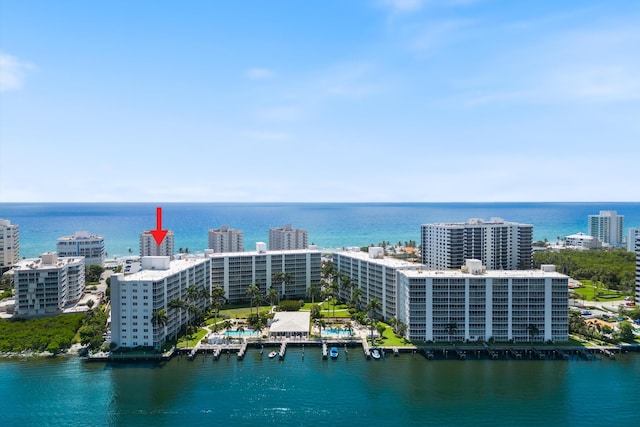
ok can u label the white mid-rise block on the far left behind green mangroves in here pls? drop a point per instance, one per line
(46, 285)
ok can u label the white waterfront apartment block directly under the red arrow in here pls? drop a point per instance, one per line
(135, 298)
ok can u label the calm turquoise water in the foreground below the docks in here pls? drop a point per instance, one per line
(308, 391)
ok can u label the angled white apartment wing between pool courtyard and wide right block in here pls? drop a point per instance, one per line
(374, 274)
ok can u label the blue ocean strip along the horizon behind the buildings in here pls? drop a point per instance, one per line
(330, 225)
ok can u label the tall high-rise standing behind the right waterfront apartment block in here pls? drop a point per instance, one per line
(499, 244)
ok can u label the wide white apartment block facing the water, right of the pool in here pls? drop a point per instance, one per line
(474, 304)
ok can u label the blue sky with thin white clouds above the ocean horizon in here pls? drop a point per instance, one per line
(371, 100)
